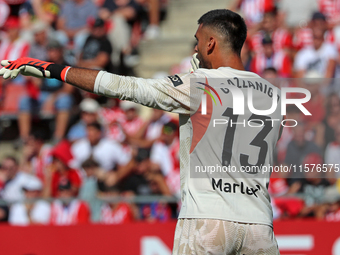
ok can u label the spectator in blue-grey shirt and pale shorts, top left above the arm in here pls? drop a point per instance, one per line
(72, 22)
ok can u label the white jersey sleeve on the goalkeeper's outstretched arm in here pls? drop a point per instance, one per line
(171, 94)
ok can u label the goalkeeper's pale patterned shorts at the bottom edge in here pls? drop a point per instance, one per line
(213, 237)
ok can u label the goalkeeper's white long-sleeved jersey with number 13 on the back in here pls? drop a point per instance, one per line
(218, 144)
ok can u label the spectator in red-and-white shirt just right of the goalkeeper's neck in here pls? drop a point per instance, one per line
(270, 58)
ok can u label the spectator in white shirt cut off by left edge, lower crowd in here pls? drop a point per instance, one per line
(14, 180)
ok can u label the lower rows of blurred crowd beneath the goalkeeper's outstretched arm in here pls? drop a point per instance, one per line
(110, 154)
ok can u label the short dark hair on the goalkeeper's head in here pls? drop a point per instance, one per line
(229, 24)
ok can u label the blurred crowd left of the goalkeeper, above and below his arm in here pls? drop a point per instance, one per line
(99, 149)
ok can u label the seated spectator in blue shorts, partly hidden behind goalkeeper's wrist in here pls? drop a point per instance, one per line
(47, 94)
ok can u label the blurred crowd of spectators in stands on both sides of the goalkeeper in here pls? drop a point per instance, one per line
(100, 150)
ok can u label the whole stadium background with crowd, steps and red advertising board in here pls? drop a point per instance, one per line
(126, 202)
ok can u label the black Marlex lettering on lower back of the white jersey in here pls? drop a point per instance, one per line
(234, 187)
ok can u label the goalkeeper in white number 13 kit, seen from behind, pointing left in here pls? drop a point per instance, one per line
(214, 219)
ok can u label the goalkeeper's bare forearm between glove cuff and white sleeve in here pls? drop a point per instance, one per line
(82, 78)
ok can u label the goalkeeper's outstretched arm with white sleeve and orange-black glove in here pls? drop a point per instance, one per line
(169, 94)
